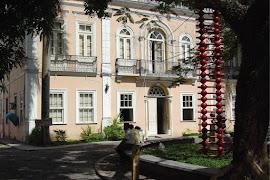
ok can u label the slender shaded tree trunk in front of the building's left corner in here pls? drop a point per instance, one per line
(45, 96)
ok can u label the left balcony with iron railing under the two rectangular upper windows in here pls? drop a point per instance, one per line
(73, 65)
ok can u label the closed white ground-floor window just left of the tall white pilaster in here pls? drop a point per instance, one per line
(86, 106)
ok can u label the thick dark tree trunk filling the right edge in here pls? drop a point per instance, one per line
(250, 158)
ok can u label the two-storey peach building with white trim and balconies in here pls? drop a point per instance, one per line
(100, 67)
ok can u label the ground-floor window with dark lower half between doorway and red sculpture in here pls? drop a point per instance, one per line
(187, 106)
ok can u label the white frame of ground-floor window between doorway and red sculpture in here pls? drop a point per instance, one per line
(193, 106)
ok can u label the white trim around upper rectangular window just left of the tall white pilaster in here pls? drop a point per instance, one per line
(93, 24)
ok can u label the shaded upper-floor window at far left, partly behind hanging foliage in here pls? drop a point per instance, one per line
(57, 39)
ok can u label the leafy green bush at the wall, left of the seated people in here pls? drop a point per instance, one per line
(114, 132)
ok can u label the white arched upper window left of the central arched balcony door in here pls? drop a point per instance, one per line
(125, 40)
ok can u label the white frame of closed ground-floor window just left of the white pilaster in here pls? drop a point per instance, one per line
(94, 105)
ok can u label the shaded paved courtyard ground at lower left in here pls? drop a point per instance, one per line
(65, 163)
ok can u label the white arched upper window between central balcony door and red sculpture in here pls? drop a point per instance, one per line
(186, 47)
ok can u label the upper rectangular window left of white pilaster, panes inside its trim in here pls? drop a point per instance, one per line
(85, 40)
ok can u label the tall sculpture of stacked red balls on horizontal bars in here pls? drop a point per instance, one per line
(210, 66)
